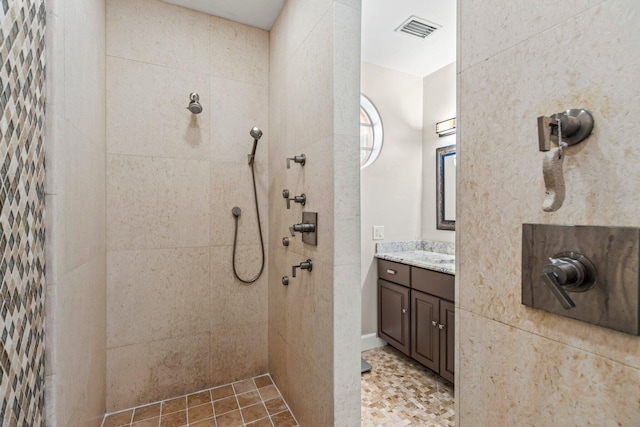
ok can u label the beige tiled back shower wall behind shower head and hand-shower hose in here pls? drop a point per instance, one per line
(177, 320)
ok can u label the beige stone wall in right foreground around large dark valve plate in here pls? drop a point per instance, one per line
(516, 365)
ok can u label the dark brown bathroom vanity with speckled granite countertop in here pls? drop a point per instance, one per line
(416, 311)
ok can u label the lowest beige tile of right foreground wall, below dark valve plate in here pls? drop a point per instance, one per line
(542, 377)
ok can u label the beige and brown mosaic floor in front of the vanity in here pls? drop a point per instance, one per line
(399, 391)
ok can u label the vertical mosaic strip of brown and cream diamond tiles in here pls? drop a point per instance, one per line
(22, 84)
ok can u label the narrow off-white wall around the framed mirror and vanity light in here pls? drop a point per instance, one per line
(439, 98)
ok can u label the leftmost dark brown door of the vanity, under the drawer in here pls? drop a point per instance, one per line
(393, 326)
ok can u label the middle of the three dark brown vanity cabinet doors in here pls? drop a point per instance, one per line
(425, 341)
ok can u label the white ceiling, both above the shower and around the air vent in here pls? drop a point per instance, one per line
(381, 45)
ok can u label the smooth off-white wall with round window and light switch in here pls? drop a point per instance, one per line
(391, 187)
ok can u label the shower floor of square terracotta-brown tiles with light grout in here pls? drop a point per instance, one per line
(255, 402)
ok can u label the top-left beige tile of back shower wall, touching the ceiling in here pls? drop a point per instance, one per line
(159, 33)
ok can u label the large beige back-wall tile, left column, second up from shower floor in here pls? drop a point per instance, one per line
(157, 294)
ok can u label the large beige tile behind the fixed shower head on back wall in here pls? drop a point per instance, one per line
(145, 121)
